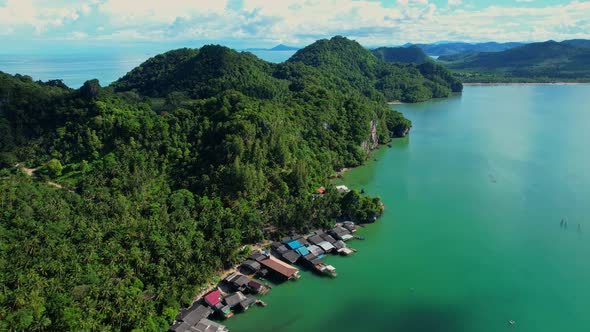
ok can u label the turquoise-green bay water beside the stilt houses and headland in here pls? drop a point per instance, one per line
(471, 236)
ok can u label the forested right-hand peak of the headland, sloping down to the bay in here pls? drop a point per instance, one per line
(345, 64)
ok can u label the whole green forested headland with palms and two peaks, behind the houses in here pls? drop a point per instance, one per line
(158, 180)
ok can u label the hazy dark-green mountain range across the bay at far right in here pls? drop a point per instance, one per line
(546, 61)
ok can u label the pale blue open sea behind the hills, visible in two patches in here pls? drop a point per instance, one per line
(75, 69)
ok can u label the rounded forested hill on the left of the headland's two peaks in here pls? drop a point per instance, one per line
(201, 73)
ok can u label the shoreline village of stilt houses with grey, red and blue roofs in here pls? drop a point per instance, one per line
(274, 262)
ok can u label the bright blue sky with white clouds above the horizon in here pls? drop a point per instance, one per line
(28, 25)
